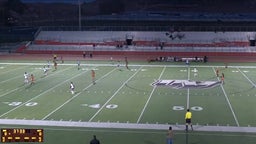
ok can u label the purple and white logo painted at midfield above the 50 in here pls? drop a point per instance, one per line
(183, 84)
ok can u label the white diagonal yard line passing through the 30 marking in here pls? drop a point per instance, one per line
(41, 93)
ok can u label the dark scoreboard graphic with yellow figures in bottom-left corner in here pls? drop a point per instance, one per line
(21, 135)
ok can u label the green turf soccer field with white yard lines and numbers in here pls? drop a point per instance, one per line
(144, 97)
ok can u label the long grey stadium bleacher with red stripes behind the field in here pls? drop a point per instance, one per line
(150, 44)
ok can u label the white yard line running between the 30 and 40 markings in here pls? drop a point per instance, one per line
(76, 95)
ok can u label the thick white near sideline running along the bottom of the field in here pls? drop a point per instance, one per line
(145, 126)
